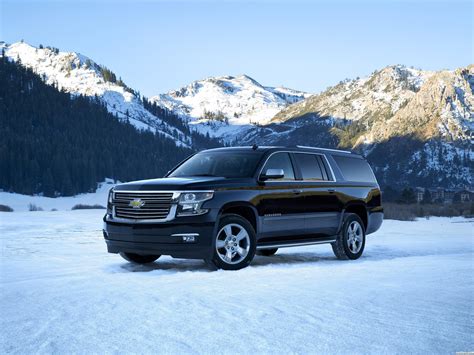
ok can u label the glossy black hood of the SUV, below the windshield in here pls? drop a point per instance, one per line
(183, 183)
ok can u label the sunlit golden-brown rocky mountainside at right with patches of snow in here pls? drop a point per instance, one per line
(396, 101)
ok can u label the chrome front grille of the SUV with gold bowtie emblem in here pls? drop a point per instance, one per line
(142, 205)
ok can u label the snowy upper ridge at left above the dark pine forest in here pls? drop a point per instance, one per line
(79, 75)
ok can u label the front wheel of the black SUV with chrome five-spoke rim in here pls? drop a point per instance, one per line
(234, 244)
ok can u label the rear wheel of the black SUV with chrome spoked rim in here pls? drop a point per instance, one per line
(350, 242)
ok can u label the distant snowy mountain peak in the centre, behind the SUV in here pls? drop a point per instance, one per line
(218, 105)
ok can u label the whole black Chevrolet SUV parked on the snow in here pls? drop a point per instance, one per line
(224, 205)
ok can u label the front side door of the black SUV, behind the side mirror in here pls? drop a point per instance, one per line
(281, 203)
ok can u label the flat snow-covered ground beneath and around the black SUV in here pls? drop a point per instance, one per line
(411, 292)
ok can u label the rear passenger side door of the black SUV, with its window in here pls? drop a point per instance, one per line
(321, 204)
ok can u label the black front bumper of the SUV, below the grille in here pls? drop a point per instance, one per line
(165, 238)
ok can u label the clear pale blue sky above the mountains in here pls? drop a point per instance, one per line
(156, 46)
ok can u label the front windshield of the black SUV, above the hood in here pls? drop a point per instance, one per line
(223, 164)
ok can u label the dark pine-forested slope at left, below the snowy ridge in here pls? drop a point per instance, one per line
(57, 143)
